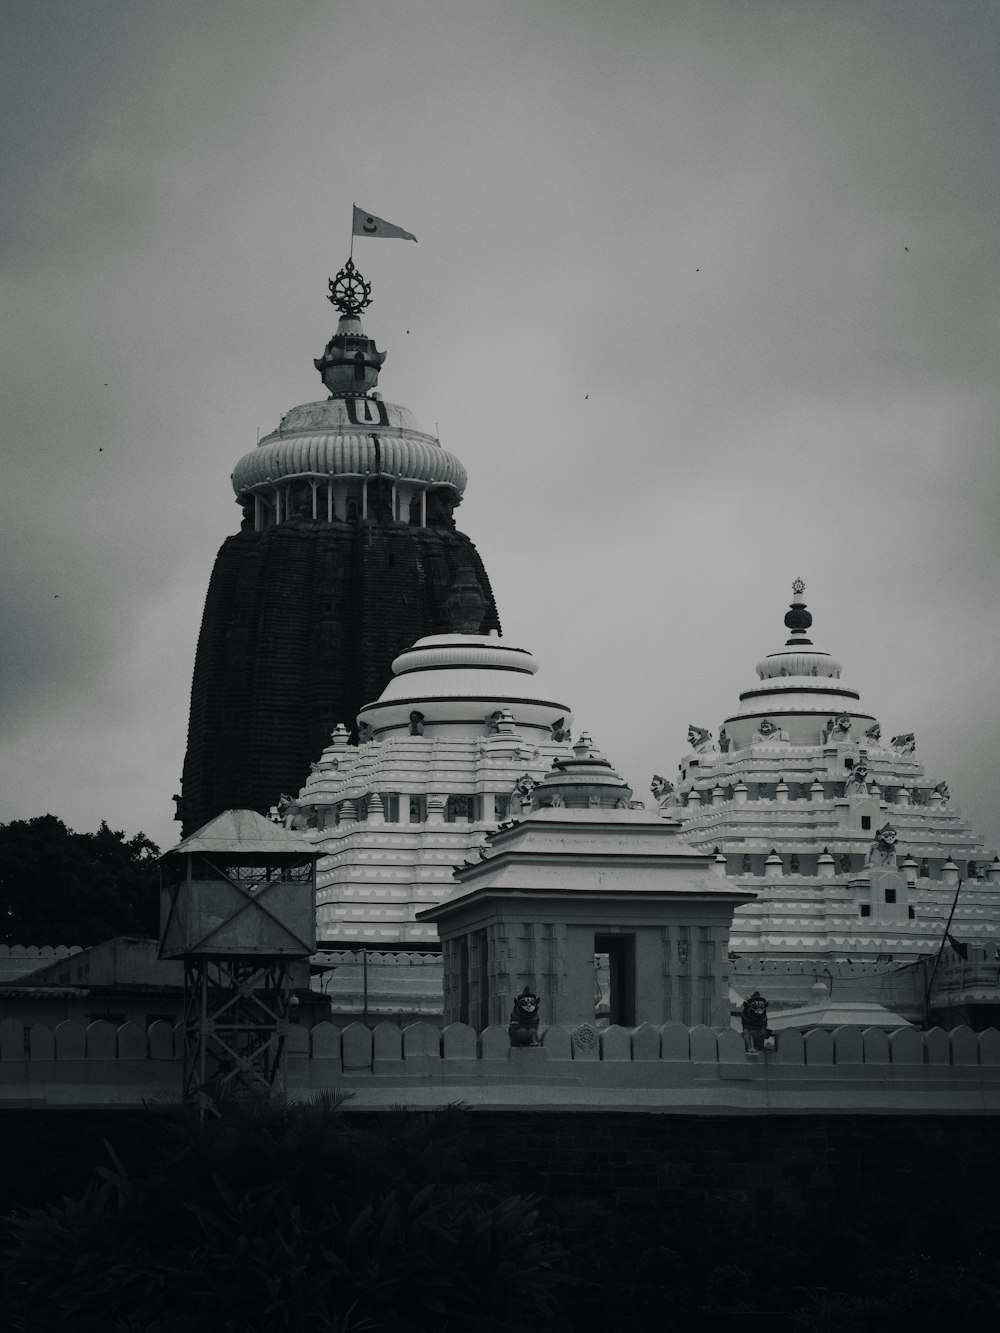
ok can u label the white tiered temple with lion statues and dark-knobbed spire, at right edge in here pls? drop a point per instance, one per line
(855, 854)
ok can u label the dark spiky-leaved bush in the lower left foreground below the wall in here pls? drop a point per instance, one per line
(287, 1219)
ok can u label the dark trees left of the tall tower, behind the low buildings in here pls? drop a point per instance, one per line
(59, 887)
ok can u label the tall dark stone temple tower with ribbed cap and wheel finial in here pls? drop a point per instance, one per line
(347, 554)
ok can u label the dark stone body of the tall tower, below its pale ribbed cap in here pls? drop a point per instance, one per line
(302, 623)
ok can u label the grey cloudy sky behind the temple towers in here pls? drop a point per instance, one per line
(705, 298)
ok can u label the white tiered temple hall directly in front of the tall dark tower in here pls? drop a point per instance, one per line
(451, 735)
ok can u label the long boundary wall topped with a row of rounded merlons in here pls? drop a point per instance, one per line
(667, 1070)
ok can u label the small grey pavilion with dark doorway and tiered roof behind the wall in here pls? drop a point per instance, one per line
(583, 876)
